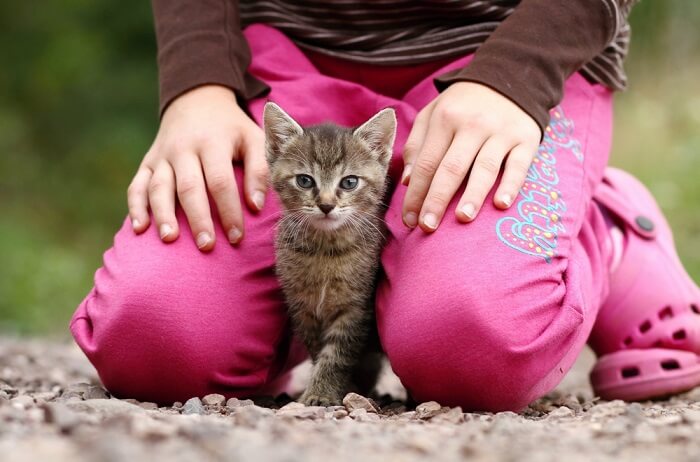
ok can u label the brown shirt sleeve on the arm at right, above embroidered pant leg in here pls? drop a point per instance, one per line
(531, 54)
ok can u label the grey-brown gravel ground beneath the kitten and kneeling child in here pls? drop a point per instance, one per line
(53, 408)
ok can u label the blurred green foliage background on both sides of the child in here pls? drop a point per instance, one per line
(78, 102)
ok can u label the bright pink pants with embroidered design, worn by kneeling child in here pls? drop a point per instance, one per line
(488, 315)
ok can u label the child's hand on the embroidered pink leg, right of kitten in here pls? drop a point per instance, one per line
(466, 126)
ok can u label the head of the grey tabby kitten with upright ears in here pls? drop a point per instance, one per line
(328, 174)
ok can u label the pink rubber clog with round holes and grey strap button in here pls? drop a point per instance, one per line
(647, 334)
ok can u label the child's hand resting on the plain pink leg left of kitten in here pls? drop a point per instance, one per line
(200, 134)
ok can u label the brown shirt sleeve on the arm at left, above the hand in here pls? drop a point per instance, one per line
(200, 42)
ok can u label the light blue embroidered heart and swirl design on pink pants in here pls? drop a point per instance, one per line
(540, 204)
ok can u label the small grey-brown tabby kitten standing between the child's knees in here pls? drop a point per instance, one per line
(331, 181)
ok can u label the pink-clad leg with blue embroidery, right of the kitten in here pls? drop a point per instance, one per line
(491, 314)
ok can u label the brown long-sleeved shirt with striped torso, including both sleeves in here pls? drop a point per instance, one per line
(524, 49)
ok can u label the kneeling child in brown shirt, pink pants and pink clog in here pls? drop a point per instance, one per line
(540, 250)
